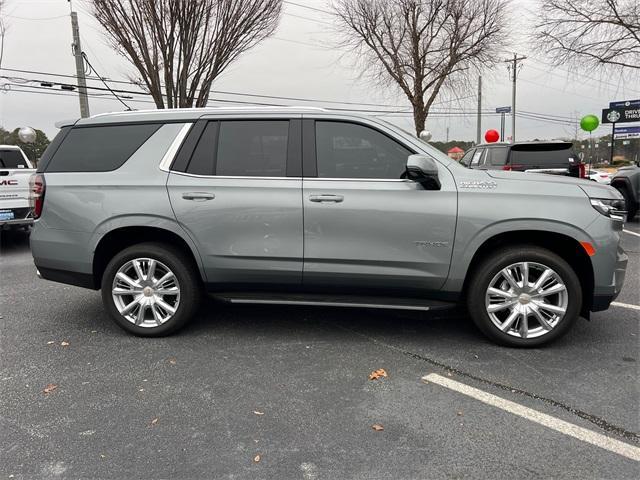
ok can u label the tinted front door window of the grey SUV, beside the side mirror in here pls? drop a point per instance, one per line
(347, 150)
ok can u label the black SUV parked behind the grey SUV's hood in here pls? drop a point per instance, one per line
(557, 158)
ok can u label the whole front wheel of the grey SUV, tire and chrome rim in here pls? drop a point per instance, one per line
(524, 296)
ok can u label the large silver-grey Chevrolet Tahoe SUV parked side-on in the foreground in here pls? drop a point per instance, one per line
(306, 206)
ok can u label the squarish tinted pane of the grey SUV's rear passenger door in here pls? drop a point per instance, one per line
(253, 148)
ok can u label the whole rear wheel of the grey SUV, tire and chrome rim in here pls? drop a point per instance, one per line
(151, 289)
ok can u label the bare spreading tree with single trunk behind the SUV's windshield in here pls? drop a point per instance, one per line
(423, 46)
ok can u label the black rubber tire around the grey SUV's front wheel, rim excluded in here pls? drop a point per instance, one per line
(498, 260)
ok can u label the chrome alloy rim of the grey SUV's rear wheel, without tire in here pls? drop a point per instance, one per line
(146, 292)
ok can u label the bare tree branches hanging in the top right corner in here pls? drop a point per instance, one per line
(591, 33)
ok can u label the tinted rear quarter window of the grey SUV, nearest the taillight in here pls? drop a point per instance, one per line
(99, 149)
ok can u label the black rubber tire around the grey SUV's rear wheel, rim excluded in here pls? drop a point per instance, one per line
(185, 272)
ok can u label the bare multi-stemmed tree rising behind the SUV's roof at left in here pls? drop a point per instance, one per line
(179, 47)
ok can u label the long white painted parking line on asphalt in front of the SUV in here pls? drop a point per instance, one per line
(566, 428)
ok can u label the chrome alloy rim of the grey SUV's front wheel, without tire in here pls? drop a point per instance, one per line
(526, 300)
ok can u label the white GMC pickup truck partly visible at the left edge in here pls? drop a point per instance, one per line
(15, 173)
